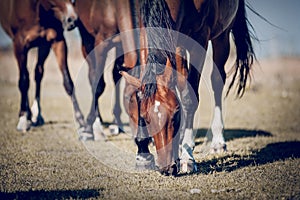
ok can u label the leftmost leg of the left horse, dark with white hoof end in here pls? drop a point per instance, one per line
(25, 113)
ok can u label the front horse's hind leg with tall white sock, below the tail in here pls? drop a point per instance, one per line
(221, 48)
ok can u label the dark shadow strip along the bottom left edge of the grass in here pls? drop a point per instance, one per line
(56, 194)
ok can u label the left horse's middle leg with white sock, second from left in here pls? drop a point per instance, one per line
(43, 52)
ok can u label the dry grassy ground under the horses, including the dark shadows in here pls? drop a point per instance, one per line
(261, 129)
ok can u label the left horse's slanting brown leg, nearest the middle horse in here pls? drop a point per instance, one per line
(60, 50)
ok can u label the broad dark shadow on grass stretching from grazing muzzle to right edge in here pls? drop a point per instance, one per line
(271, 153)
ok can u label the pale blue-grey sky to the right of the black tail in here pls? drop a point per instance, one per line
(274, 41)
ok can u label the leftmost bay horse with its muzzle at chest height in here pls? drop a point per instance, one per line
(39, 23)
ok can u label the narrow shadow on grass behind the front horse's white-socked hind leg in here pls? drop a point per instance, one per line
(230, 134)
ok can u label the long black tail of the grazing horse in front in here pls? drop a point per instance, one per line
(244, 49)
